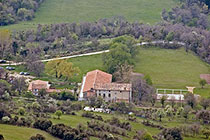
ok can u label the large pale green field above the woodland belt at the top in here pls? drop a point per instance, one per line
(59, 11)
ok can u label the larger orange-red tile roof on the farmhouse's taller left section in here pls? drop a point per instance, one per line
(96, 77)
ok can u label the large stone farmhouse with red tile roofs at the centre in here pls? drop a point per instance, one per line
(98, 83)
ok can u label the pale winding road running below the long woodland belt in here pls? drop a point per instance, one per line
(99, 52)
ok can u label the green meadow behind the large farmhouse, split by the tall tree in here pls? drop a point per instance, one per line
(167, 68)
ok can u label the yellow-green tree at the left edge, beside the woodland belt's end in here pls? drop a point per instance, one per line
(5, 42)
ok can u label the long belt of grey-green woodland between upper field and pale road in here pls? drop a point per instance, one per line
(68, 38)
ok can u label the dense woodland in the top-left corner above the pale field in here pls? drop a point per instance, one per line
(12, 11)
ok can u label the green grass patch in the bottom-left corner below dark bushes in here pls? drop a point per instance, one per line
(21, 133)
